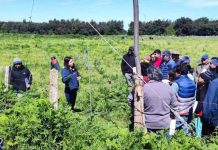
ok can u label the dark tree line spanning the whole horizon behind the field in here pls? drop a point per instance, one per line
(181, 27)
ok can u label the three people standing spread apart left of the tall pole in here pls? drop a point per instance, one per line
(20, 78)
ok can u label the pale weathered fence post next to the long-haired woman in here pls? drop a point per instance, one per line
(53, 96)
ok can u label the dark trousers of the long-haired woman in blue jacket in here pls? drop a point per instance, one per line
(71, 96)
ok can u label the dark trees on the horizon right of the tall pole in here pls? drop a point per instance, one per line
(181, 27)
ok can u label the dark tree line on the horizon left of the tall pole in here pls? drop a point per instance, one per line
(62, 26)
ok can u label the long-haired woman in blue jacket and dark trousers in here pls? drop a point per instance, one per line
(71, 78)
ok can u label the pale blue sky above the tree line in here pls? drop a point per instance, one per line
(104, 10)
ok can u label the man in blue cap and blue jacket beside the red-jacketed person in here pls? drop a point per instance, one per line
(167, 64)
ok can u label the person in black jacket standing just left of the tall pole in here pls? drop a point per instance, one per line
(127, 69)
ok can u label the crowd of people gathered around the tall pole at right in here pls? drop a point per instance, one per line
(172, 85)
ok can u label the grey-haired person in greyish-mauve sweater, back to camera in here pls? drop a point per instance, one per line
(158, 97)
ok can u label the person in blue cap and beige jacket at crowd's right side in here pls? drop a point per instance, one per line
(202, 67)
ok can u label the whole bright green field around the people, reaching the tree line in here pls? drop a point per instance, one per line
(31, 123)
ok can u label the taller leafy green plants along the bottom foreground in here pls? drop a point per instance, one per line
(30, 123)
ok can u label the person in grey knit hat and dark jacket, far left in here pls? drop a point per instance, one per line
(20, 76)
